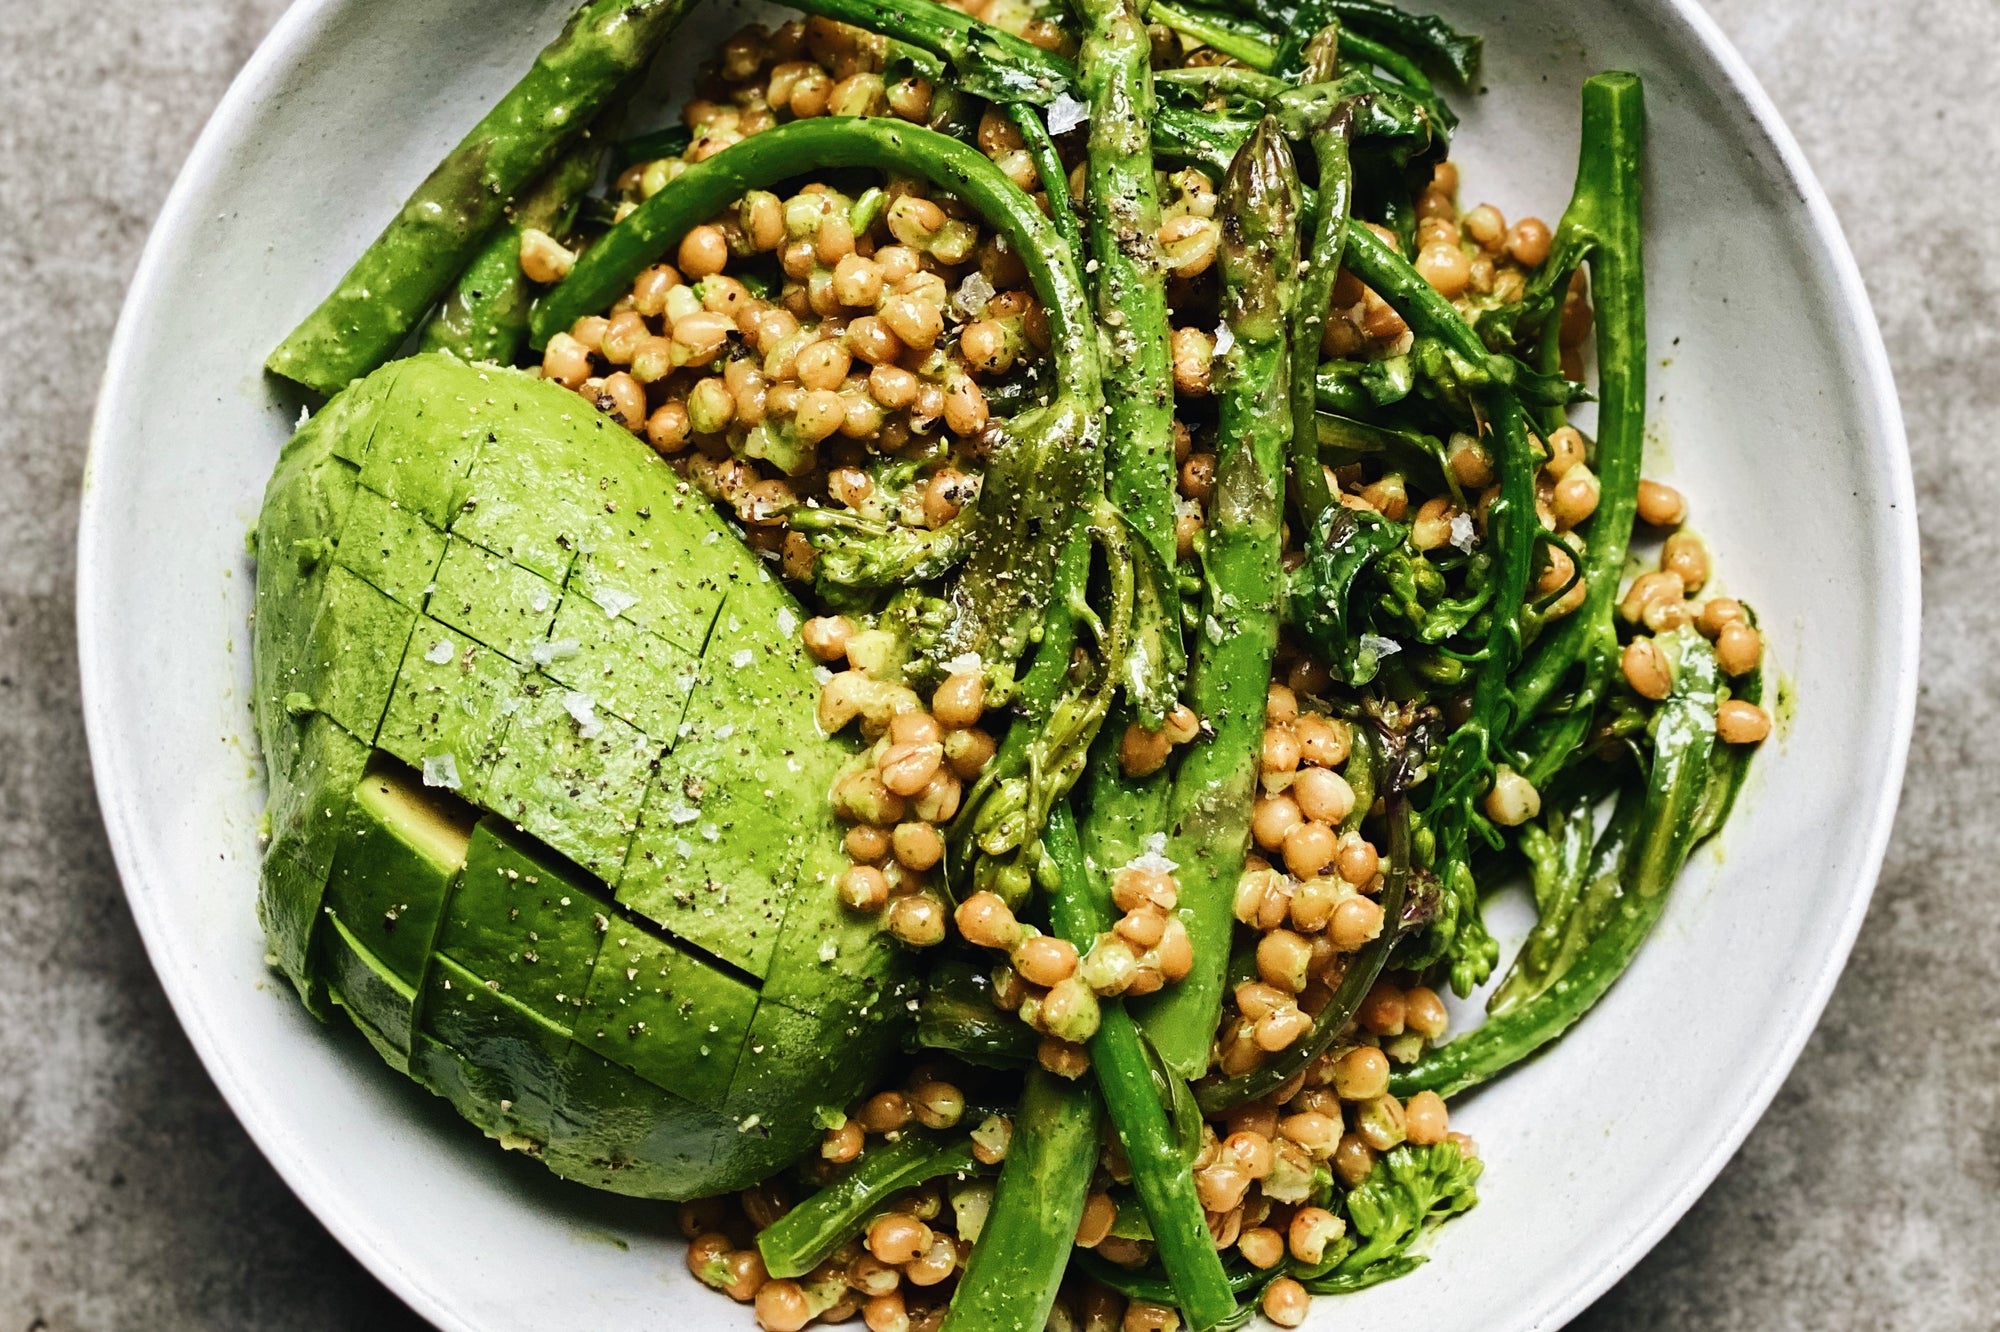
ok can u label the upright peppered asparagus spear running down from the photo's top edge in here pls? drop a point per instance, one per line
(1131, 297)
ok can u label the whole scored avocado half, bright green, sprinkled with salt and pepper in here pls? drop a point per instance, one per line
(547, 797)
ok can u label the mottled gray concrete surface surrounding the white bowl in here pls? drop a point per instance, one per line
(1869, 1197)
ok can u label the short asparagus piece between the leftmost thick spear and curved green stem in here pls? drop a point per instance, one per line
(485, 317)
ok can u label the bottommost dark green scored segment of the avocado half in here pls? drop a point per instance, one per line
(625, 1135)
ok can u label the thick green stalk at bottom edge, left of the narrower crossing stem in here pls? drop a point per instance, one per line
(1031, 1229)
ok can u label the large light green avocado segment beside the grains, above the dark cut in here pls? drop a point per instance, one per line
(741, 797)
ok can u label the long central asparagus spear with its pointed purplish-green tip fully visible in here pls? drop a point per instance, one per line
(1213, 793)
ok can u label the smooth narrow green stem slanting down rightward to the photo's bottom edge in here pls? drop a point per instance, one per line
(1161, 1175)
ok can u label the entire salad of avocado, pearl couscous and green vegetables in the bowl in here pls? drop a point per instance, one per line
(935, 663)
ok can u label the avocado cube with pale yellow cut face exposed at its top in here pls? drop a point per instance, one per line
(397, 865)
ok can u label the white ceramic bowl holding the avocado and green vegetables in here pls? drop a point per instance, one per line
(1775, 411)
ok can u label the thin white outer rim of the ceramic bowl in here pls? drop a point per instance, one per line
(305, 1175)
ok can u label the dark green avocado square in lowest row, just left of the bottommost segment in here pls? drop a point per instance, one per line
(497, 1061)
